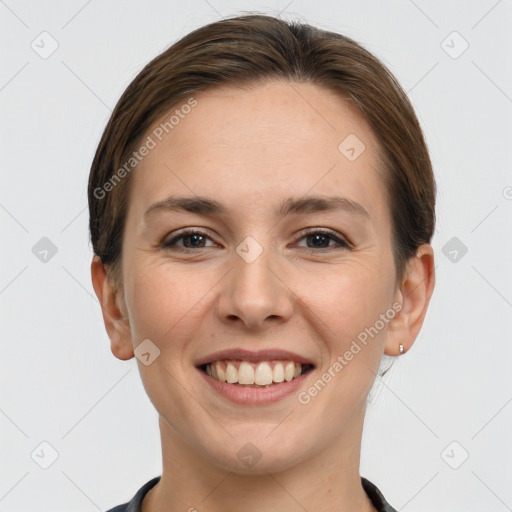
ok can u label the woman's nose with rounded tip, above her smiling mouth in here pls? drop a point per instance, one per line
(255, 294)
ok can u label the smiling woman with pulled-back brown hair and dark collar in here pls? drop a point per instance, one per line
(261, 211)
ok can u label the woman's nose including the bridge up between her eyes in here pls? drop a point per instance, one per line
(253, 293)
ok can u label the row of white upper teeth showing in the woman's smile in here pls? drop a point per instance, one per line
(261, 374)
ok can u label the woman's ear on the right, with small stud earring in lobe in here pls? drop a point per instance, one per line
(414, 296)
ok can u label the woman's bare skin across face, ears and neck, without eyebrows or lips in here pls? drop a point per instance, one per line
(250, 149)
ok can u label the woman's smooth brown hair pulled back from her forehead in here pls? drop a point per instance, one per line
(253, 49)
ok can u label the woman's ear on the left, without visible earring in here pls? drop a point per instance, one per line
(117, 326)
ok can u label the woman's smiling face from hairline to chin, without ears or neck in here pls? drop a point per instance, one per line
(286, 259)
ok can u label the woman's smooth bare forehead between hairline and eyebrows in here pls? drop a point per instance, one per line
(243, 145)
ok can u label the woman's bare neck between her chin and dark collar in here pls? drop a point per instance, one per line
(326, 482)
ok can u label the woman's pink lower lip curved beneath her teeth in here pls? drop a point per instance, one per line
(246, 395)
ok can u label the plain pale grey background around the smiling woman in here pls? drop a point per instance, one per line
(437, 432)
